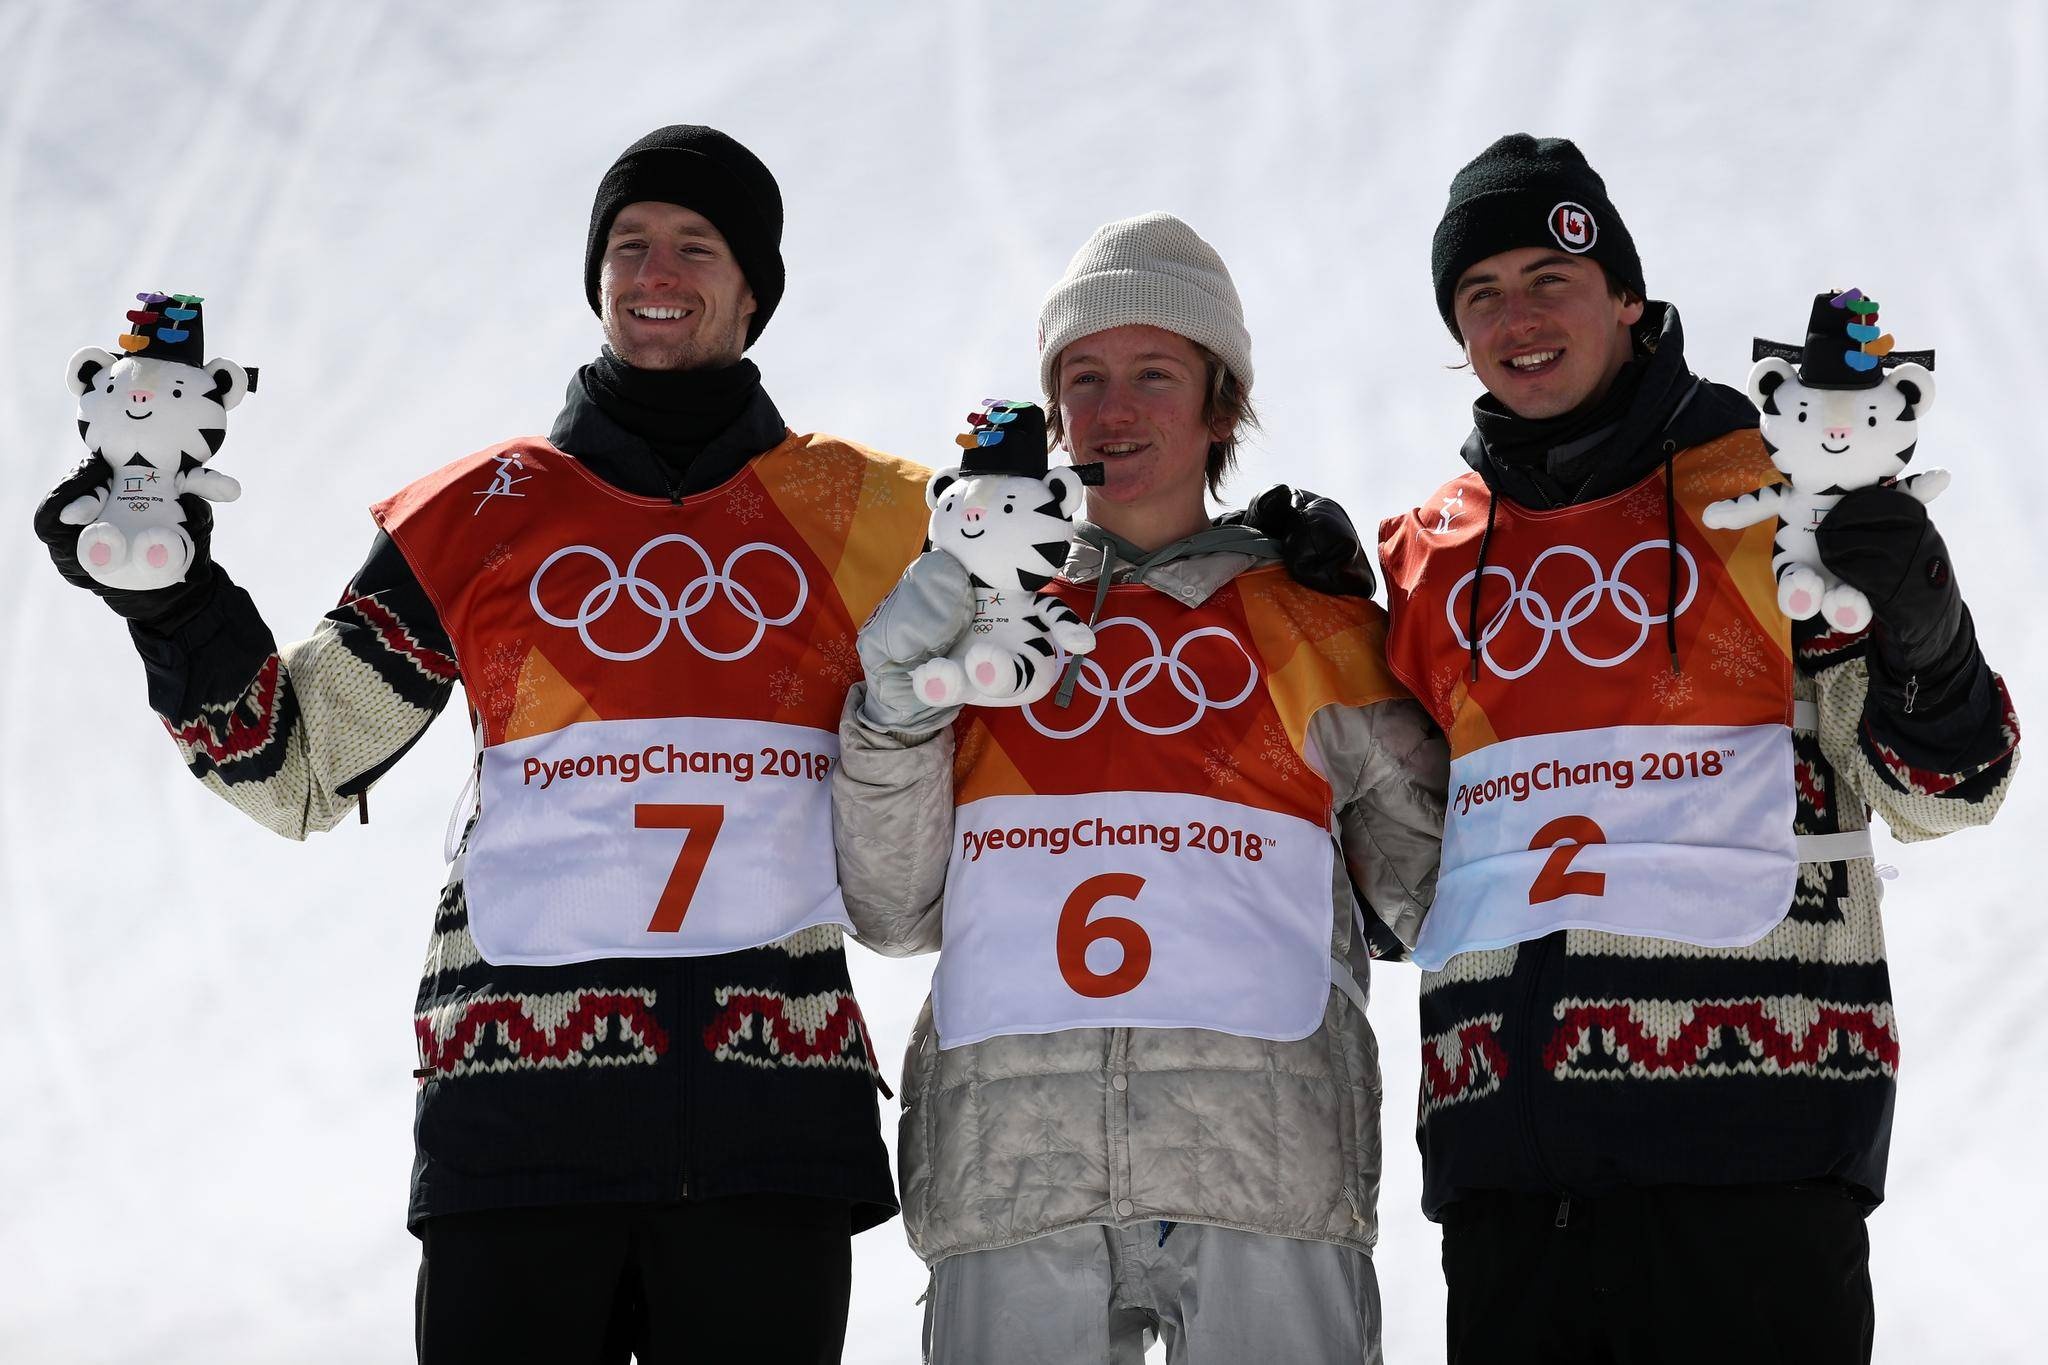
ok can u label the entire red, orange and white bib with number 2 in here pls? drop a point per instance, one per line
(1592, 787)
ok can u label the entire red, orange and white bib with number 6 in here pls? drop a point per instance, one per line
(1158, 852)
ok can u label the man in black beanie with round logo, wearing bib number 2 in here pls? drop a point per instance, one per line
(1660, 1051)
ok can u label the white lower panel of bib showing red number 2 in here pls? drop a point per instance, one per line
(1662, 832)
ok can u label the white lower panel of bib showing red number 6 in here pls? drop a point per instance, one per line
(1134, 910)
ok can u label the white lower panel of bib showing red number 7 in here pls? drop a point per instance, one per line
(667, 838)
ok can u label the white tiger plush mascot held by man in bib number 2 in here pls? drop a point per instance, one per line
(1842, 421)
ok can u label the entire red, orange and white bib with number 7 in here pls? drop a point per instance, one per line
(656, 689)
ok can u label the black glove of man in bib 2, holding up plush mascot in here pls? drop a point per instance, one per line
(1924, 648)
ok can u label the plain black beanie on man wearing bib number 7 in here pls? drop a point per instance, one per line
(706, 171)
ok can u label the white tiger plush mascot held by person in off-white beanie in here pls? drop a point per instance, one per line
(1007, 519)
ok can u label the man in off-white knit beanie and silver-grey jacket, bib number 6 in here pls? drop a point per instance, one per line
(1168, 1122)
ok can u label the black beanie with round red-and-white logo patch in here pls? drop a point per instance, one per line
(1529, 191)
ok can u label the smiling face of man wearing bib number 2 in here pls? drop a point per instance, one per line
(1543, 331)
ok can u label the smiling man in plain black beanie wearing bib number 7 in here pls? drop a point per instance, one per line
(646, 1114)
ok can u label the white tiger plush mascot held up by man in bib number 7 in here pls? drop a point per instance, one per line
(155, 416)
